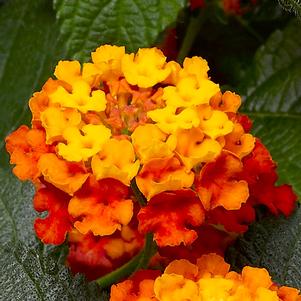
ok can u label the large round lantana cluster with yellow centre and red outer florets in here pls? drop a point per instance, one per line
(131, 144)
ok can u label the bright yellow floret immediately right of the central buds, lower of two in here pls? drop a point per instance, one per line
(169, 121)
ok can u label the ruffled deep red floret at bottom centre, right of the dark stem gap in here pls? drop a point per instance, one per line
(171, 216)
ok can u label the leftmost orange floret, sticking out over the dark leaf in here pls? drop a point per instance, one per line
(25, 147)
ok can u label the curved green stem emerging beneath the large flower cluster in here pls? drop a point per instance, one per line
(140, 261)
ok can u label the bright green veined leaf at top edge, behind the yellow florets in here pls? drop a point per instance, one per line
(87, 24)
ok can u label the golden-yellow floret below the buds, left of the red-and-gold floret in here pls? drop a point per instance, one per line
(117, 161)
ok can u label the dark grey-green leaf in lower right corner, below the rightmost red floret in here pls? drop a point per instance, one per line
(274, 244)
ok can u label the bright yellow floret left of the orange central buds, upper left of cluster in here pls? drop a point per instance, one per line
(80, 98)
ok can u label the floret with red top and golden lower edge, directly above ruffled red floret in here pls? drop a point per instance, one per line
(164, 174)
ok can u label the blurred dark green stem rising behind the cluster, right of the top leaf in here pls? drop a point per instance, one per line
(192, 31)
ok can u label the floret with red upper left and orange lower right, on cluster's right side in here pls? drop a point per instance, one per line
(219, 185)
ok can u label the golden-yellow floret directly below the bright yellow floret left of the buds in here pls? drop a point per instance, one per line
(55, 121)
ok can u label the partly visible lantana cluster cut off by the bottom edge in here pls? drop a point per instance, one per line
(207, 280)
